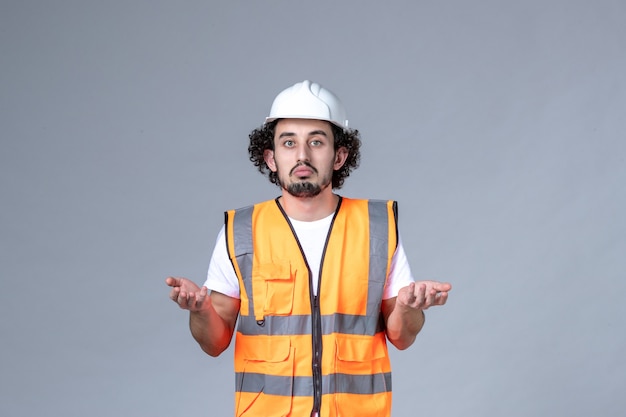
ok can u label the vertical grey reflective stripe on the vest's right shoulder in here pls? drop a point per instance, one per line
(379, 244)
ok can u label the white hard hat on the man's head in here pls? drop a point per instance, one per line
(307, 100)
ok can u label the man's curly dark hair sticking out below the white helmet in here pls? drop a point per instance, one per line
(262, 139)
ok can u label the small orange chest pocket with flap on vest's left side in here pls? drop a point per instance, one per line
(279, 288)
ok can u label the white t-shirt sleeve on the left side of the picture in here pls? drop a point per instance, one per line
(221, 275)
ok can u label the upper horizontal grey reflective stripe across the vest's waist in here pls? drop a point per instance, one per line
(301, 324)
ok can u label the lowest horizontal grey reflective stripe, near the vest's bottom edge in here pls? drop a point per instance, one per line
(303, 386)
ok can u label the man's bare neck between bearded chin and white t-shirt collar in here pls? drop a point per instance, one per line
(308, 209)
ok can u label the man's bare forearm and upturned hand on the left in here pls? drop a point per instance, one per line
(211, 318)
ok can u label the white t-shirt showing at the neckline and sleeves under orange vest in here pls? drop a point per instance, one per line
(221, 276)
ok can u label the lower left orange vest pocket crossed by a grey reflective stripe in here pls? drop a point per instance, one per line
(265, 387)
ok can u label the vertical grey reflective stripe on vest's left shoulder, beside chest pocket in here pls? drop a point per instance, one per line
(244, 249)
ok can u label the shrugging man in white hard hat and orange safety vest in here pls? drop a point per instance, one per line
(319, 282)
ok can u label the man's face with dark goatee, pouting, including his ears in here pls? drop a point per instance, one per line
(304, 157)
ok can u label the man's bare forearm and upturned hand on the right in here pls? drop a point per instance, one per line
(404, 314)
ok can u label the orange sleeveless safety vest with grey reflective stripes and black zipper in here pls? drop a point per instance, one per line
(296, 353)
